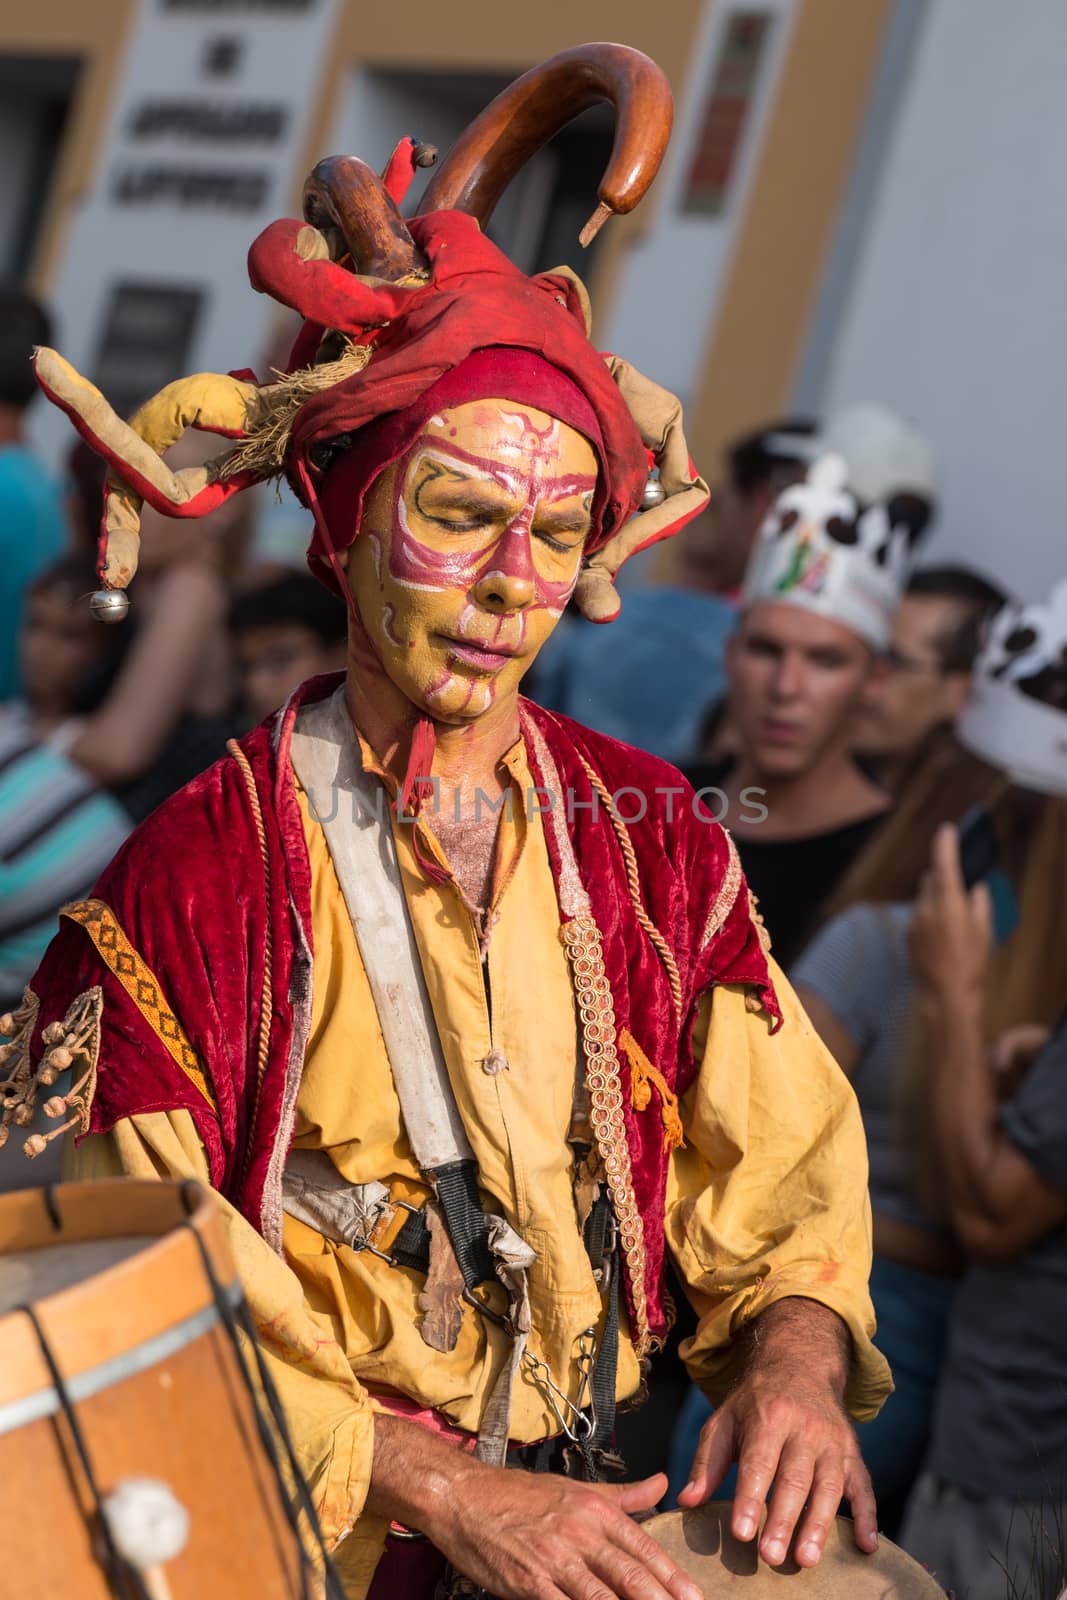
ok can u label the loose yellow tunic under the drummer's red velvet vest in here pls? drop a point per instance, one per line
(767, 1199)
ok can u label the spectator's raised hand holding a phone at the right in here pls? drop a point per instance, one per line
(953, 930)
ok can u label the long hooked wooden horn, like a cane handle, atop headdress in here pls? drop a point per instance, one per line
(526, 116)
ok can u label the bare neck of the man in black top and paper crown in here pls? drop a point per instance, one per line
(829, 794)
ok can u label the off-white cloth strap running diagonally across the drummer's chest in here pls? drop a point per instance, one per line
(353, 809)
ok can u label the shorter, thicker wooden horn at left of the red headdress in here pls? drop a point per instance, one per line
(346, 194)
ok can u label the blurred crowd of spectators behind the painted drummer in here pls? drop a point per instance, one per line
(908, 870)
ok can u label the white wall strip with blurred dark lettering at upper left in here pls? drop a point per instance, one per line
(170, 244)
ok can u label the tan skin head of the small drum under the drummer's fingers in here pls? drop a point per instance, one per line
(705, 1548)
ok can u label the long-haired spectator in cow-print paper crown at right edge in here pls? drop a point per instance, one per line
(858, 986)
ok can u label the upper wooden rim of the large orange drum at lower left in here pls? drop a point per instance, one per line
(127, 1318)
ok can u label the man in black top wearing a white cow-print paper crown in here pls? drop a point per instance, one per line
(818, 602)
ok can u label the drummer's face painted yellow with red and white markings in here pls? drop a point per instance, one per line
(468, 554)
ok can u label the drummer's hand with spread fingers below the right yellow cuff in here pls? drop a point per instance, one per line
(786, 1425)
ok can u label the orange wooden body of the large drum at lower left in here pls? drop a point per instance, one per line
(158, 1393)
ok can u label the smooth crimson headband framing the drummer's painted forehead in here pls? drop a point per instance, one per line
(486, 375)
